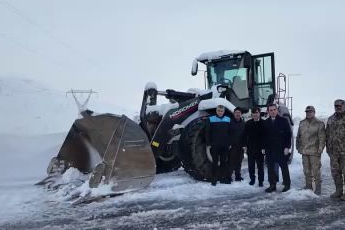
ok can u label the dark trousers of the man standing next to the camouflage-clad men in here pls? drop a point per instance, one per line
(272, 177)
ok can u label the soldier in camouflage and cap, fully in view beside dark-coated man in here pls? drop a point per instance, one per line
(310, 142)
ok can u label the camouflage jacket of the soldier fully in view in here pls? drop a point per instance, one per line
(311, 137)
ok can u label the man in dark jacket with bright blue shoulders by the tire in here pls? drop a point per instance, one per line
(217, 144)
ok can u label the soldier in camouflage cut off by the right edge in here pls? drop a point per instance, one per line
(335, 146)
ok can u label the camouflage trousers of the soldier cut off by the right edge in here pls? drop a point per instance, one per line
(337, 168)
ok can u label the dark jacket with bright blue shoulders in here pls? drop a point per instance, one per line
(218, 131)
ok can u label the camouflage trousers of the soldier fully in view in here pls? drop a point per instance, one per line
(312, 169)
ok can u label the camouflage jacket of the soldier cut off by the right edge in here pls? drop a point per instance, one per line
(335, 134)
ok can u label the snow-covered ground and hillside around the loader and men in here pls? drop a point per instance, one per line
(171, 201)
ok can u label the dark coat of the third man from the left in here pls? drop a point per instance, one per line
(253, 137)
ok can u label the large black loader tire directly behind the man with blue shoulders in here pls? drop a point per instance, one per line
(193, 146)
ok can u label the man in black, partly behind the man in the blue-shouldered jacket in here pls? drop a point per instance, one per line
(237, 126)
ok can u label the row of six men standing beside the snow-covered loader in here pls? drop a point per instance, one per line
(227, 140)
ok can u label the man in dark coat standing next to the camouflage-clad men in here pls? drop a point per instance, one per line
(277, 135)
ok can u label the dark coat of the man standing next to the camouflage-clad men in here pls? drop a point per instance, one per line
(277, 136)
